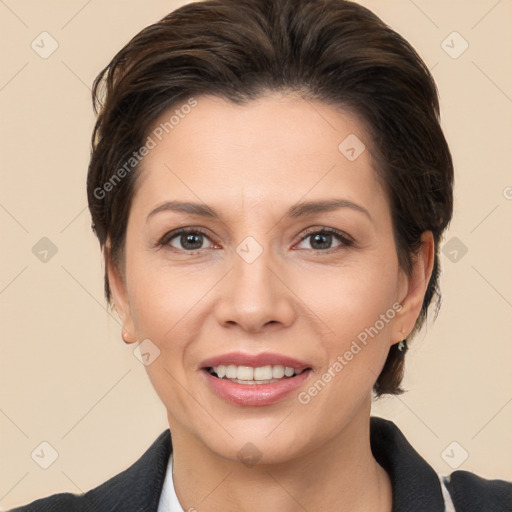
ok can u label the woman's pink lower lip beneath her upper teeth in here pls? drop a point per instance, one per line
(255, 395)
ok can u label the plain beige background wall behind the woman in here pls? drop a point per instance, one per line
(66, 377)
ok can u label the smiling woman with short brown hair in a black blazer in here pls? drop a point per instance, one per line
(269, 184)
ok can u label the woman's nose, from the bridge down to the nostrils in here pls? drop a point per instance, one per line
(255, 295)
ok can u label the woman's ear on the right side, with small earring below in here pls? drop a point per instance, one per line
(412, 288)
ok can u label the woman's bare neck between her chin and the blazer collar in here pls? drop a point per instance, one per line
(341, 474)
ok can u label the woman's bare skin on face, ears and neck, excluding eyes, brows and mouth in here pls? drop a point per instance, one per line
(252, 163)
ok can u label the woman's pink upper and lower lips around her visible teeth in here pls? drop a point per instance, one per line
(254, 395)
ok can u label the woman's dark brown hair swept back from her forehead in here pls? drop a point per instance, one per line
(333, 51)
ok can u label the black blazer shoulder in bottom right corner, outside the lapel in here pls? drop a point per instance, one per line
(473, 493)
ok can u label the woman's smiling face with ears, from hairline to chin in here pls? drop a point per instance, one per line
(285, 263)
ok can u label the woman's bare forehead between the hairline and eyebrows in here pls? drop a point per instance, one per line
(277, 148)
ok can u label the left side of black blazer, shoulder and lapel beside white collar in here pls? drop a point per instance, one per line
(136, 489)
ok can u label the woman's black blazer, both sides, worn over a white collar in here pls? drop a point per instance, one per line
(416, 486)
